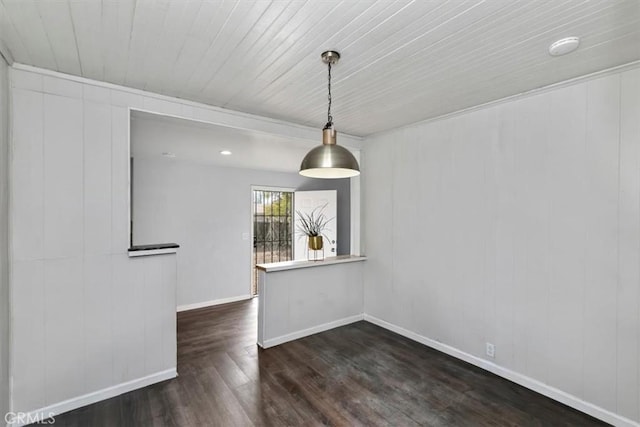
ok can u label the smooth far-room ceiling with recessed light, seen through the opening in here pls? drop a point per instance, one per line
(198, 142)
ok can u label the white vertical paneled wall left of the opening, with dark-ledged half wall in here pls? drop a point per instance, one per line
(85, 316)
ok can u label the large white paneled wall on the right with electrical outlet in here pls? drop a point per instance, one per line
(518, 224)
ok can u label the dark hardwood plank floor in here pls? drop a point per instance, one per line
(358, 374)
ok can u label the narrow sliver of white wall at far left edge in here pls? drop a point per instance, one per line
(4, 240)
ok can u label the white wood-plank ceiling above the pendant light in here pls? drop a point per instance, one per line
(402, 61)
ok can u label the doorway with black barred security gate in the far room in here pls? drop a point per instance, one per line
(272, 228)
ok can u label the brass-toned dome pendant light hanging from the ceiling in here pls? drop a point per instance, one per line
(329, 160)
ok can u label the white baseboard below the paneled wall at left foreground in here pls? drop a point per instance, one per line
(96, 396)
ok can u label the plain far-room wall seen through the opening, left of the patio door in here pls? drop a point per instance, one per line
(205, 209)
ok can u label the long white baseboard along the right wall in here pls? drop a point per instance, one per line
(523, 380)
